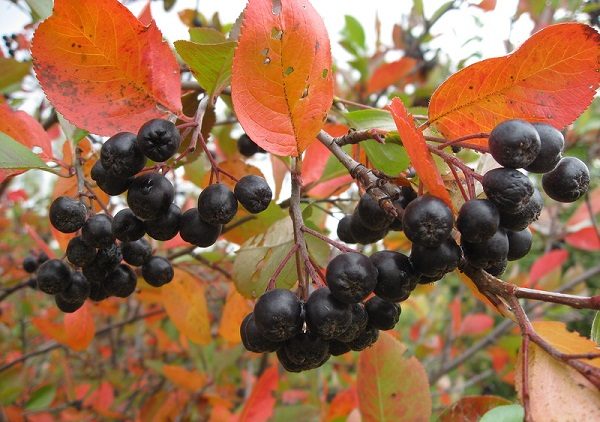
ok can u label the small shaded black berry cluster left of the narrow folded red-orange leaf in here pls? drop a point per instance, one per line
(369, 222)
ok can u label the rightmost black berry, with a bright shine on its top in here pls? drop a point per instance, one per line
(568, 182)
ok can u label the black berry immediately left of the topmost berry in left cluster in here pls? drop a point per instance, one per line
(121, 156)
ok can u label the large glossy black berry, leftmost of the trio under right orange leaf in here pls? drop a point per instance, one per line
(514, 143)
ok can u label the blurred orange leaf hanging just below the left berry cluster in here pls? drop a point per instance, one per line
(185, 303)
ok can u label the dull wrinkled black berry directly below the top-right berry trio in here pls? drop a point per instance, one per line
(507, 188)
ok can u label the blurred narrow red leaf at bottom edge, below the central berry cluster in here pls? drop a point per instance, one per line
(261, 403)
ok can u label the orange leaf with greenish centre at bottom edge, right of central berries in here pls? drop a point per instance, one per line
(390, 386)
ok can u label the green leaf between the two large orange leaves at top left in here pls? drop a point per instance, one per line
(210, 63)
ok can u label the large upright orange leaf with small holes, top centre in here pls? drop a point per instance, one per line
(282, 80)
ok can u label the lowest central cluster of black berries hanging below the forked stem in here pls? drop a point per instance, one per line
(334, 320)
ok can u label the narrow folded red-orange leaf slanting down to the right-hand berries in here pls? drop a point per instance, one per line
(417, 150)
